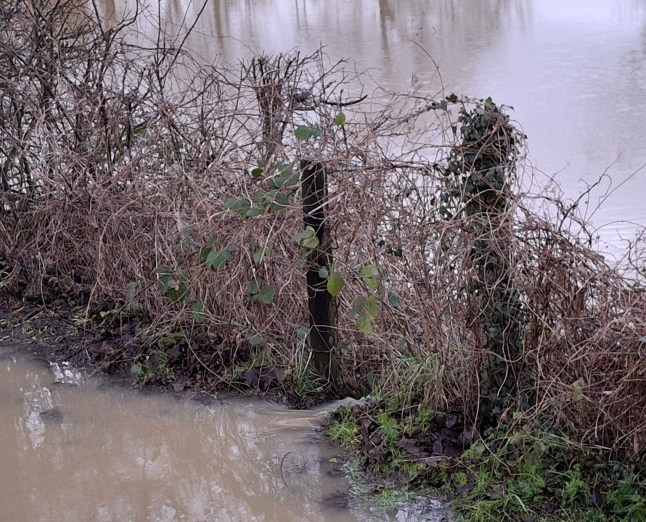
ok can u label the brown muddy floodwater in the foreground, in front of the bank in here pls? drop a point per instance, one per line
(77, 449)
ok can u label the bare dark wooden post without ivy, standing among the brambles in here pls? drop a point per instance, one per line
(322, 307)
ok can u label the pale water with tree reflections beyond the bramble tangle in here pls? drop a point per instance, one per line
(574, 71)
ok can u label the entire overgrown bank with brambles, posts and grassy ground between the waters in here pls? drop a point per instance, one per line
(171, 237)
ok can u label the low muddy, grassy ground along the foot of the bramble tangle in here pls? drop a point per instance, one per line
(395, 453)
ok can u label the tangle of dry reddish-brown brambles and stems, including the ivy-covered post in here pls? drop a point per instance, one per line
(137, 178)
